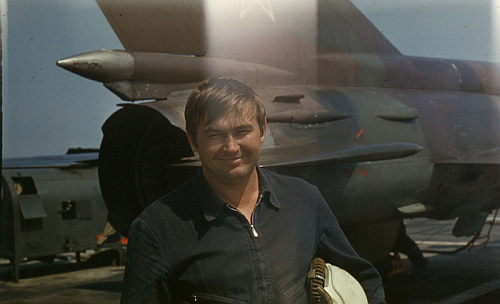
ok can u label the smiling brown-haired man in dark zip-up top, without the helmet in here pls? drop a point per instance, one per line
(234, 233)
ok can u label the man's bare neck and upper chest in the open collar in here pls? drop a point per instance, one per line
(240, 194)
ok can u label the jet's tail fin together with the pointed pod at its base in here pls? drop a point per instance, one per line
(170, 45)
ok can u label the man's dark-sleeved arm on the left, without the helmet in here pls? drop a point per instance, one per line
(145, 269)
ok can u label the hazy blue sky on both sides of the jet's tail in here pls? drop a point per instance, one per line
(47, 110)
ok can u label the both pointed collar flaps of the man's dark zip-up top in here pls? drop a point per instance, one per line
(212, 205)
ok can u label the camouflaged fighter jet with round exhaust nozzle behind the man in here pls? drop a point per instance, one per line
(383, 135)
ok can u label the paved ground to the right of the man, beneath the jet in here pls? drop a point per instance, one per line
(459, 273)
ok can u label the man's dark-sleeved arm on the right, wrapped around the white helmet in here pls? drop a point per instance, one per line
(334, 248)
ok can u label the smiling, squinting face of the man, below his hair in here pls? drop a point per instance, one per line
(229, 147)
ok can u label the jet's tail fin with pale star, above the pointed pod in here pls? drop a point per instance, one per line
(189, 27)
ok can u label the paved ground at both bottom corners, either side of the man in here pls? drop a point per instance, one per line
(471, 275)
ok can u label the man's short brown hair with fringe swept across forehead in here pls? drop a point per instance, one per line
(218, 95)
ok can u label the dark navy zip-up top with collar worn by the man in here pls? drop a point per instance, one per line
(191, 246)
